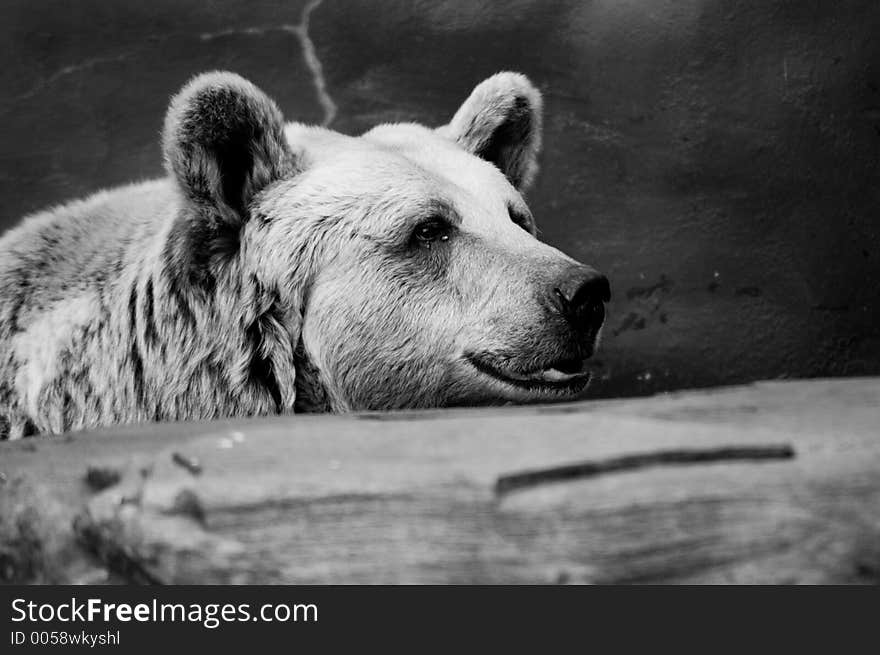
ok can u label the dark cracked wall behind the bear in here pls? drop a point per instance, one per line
(717, 159)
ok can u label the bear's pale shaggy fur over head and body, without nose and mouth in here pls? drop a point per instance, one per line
(284, 267)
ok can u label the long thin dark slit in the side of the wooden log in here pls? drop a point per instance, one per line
(513, 481)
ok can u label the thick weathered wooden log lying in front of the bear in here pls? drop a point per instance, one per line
(767, 483)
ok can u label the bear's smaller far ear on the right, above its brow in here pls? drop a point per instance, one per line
(501, 122)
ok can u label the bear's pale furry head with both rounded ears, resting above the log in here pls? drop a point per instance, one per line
(402, 266)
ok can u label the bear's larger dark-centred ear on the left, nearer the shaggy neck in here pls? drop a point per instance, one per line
(223, 142)
